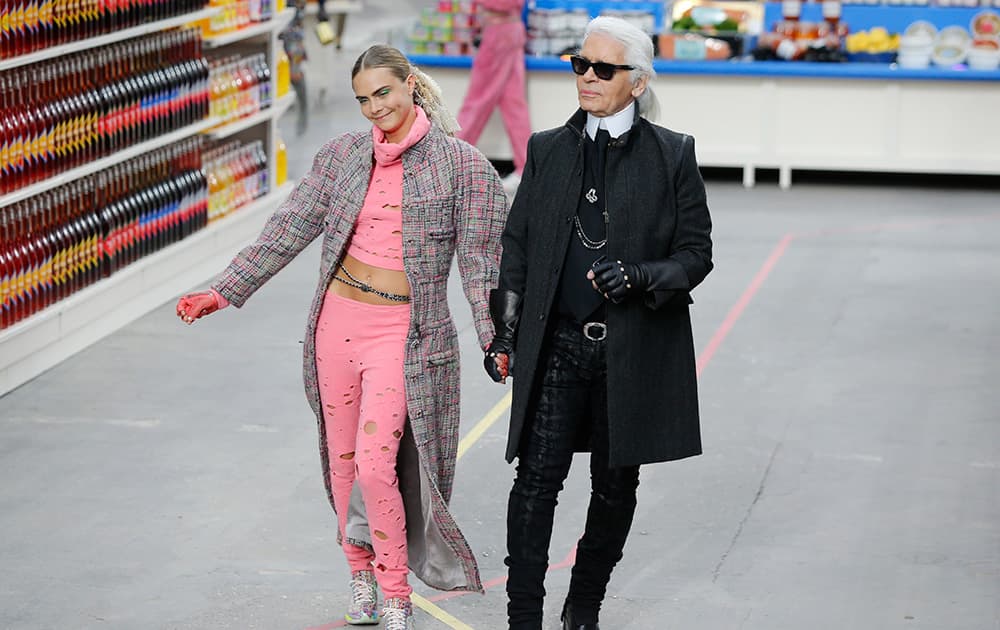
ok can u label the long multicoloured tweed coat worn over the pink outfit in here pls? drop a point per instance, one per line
(453, 203)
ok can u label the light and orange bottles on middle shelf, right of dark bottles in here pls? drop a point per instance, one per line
(240, 86)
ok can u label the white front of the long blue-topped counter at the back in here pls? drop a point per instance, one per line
(796, 122)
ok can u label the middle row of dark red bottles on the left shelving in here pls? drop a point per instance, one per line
(69, 111)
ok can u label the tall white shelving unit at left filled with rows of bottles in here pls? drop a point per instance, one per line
(80, 203)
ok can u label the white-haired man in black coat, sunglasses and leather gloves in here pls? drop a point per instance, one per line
(606, 238)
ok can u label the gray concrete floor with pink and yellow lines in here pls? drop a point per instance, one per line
(167, 477)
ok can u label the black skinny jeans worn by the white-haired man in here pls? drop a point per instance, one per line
(573, 398)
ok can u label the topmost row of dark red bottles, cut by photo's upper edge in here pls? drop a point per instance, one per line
(30, 25)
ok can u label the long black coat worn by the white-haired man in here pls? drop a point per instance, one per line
(657, 210)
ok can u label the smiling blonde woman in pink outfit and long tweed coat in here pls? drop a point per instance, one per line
(394, 205)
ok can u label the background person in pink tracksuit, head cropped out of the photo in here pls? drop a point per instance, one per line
(497, 79)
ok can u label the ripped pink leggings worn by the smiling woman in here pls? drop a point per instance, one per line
(359, 362)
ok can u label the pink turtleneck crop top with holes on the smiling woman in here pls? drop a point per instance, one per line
(378, 234)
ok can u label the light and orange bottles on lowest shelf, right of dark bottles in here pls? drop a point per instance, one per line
(237, 174)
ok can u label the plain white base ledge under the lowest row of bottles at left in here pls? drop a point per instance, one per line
(38, 343)
